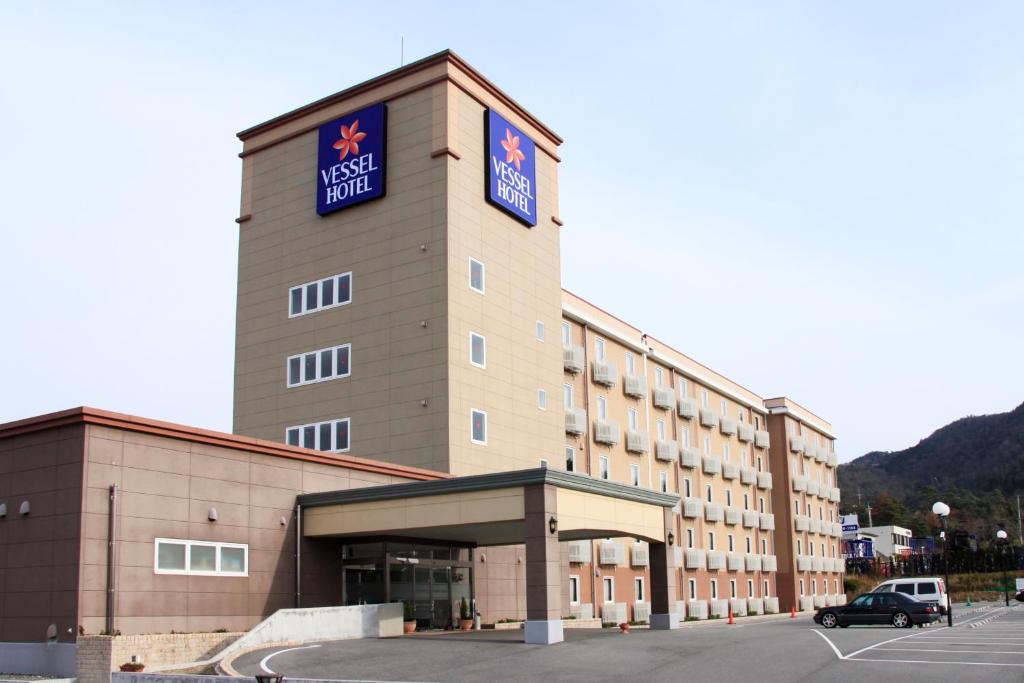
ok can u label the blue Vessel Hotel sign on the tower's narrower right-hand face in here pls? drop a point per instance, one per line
(511, 173)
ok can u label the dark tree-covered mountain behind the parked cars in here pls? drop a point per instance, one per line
(975, 464)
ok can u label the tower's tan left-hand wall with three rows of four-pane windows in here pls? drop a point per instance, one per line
(397, 323)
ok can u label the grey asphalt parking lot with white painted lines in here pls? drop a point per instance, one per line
(987, 645)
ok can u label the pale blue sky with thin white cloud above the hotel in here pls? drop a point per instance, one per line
(822, 201)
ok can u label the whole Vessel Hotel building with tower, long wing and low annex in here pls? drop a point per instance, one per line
(422, 413)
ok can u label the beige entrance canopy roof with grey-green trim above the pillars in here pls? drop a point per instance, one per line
(491, 509)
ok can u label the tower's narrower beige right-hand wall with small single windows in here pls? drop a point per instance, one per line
(523, 287)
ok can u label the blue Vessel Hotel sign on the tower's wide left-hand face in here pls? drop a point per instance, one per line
(351, 161)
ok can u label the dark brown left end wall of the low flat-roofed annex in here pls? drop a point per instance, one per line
(39, 552)
